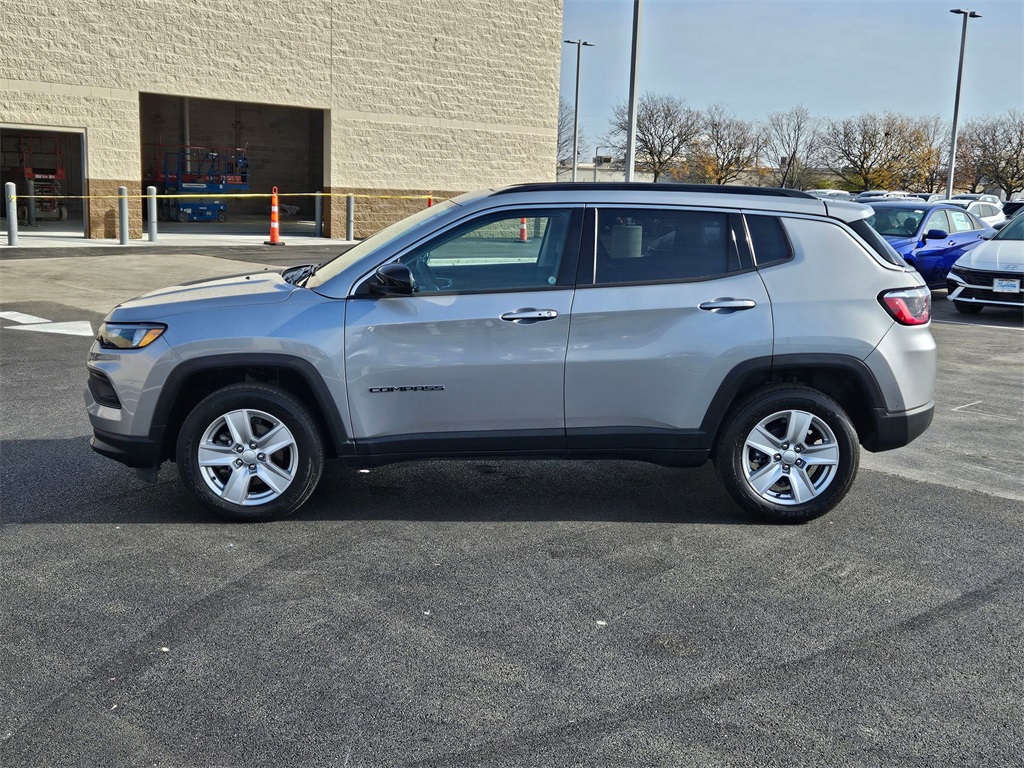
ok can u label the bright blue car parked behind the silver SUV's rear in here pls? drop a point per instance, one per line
(930, 237)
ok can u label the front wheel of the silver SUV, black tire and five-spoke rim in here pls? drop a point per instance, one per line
(235, 479)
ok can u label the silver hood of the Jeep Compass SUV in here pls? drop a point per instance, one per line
(220, 293)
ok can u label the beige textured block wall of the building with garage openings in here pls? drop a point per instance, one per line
(417, 95)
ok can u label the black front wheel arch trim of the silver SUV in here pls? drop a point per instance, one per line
(194, 380)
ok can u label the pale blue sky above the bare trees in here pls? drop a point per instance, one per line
(836, 58)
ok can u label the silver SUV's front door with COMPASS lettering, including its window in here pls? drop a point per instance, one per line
(475, 359)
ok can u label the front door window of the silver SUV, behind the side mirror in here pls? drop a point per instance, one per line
(510, 251)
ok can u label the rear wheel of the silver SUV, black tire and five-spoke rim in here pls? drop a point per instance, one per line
(790, 423)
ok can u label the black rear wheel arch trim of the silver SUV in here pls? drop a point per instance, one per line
(847, 380)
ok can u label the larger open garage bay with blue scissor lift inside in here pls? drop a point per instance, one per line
(229, 156)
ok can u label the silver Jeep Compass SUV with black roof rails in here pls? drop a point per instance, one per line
(767, 330)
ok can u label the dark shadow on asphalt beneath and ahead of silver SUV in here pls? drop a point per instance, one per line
(64, 482)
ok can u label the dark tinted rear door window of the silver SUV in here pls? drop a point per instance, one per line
(642, 245)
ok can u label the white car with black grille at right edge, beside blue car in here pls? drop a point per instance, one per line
(993, 274)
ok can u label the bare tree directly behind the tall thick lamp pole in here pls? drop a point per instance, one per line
(666, 127)
